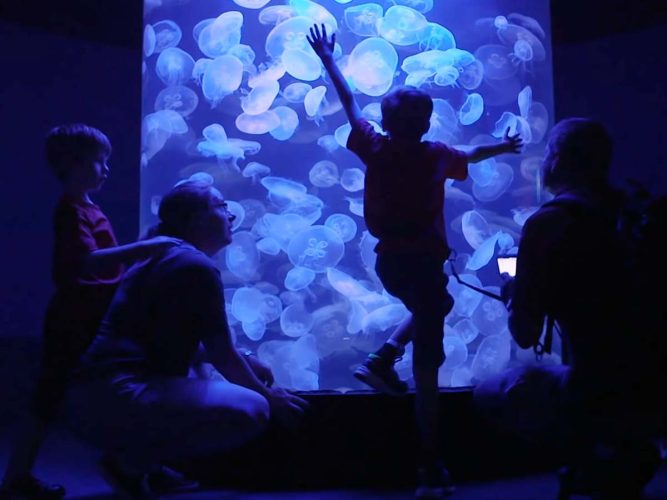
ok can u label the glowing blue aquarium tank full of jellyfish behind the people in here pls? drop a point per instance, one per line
(233, 95)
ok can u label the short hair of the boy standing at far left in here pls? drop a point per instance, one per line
(66, 144)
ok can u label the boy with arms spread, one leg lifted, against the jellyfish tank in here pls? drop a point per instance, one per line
(403, 205)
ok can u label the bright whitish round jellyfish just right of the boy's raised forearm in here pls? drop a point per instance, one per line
(372, 65)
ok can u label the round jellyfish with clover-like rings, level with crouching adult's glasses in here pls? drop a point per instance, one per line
(316, 248)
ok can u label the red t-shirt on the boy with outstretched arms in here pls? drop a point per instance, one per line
(404, 189)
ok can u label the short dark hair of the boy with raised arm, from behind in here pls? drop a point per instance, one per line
(406, 111)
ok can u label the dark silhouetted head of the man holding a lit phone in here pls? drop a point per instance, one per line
(578, 155)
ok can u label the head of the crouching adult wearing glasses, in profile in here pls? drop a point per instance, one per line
(197, 213)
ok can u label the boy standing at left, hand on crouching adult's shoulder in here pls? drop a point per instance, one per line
(87, 266)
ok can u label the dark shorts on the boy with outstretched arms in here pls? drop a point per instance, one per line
(419, 281)
